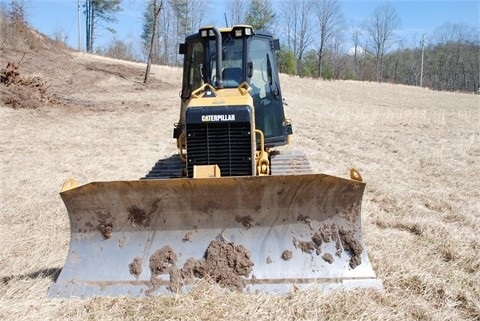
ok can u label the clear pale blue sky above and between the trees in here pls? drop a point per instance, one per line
(60, 17)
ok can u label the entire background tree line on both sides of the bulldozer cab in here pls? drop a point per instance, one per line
(316, 40)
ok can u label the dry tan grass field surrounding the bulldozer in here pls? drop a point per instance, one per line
(418, 151)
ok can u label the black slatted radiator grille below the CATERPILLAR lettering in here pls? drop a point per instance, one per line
(226, 144)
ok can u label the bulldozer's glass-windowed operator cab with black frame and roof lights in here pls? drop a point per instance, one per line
(246, 56)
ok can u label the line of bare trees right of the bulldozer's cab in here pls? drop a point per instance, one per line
(319, 43)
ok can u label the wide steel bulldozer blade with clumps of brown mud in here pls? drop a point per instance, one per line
(270, 234)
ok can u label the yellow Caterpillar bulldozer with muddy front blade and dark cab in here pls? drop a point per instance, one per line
(231, 207)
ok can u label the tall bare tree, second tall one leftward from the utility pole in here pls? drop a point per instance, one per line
(330, 21)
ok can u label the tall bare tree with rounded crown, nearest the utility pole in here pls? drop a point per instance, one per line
(381, 30)
